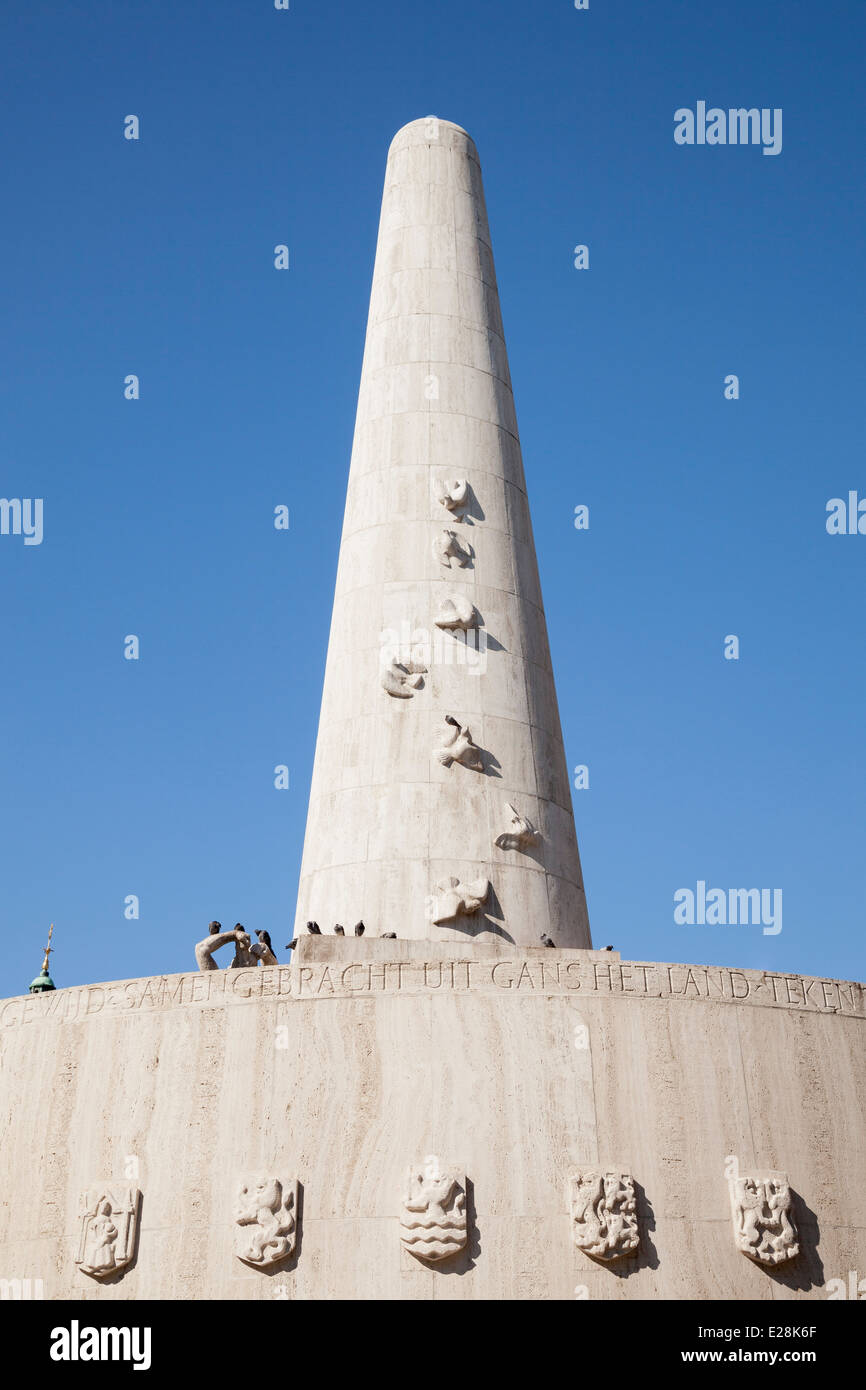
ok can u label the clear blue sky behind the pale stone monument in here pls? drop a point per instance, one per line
(156, 778)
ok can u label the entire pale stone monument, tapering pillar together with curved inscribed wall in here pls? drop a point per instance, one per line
(461, 1113)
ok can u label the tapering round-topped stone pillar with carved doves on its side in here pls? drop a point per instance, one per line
(440, 806)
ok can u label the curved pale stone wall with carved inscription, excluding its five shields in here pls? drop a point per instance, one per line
(514, 1067)
